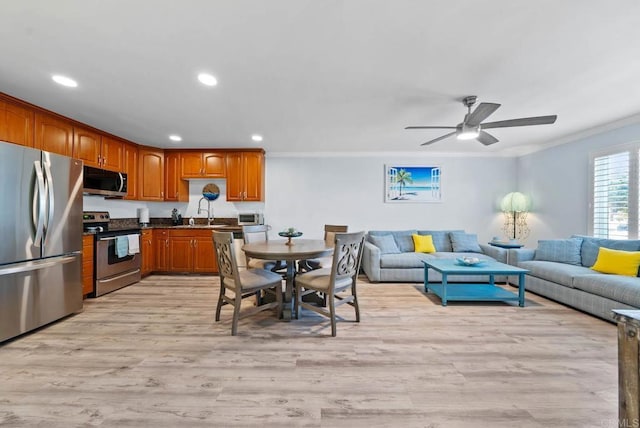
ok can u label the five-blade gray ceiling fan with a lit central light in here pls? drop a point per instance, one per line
(473, 128)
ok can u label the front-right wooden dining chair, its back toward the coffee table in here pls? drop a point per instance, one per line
(337, 283)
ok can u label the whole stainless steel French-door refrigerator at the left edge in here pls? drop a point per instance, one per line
(40, 238)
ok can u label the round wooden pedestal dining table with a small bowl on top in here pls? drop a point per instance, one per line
(300, 249)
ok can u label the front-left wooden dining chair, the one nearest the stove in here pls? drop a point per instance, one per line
(242, 283)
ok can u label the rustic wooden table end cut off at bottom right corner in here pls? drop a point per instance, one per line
(628, 374)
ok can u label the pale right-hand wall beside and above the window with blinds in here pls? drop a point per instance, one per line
(557, 179)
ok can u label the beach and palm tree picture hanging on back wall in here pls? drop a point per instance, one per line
(412, 184)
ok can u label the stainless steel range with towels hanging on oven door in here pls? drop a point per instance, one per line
(116, 253)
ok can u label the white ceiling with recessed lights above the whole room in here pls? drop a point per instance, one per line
(325, 75)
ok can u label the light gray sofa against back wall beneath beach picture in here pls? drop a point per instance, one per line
(389, 255)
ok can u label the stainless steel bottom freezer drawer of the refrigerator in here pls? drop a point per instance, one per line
(33, 294)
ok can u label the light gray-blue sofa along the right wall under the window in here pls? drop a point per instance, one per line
(561, 270)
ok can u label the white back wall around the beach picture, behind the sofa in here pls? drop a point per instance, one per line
(307, 192)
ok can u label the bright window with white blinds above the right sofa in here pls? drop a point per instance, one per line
(614, 208)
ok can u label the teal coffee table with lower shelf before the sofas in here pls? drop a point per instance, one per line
(471, 291)
